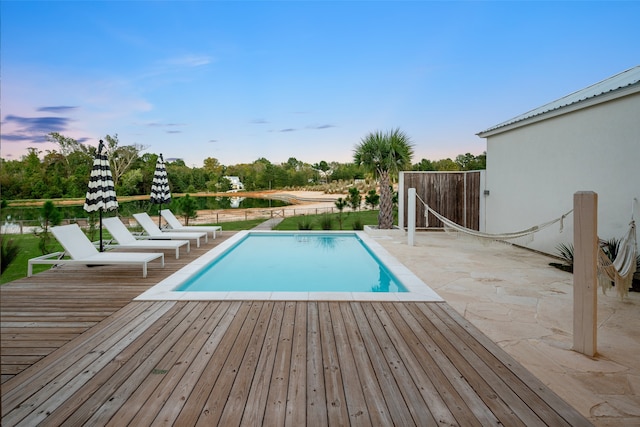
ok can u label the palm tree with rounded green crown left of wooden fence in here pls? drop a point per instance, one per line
(384, 154)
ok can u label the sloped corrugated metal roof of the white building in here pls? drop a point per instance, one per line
(622, 80)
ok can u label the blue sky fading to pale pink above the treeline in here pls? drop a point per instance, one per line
(306, 79)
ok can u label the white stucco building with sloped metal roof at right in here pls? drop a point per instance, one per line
(588, 140)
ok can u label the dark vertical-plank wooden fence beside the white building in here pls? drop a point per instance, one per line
(455, 195)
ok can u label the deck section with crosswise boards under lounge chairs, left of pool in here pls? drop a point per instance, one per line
(45, 311)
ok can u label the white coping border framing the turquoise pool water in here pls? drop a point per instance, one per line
(417, 289)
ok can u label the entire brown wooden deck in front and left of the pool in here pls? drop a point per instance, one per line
(76, 350)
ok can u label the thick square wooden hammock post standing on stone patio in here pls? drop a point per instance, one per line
(585, 280)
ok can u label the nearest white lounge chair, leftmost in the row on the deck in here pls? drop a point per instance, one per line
(77, 246)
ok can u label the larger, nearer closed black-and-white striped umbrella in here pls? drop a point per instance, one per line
(101, 194)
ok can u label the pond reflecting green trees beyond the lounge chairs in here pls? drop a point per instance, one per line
(27, 213)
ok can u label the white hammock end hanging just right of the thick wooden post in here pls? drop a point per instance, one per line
(619, 271)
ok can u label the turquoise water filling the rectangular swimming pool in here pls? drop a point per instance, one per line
(295, 262)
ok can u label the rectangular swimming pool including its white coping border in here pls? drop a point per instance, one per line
(276, 265)
